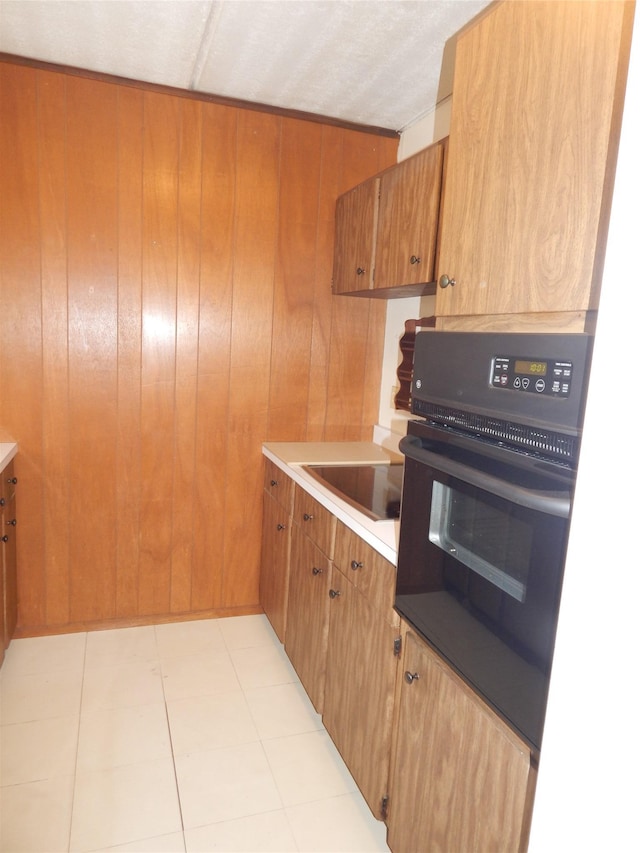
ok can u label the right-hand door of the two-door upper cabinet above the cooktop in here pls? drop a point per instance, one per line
(408, 220)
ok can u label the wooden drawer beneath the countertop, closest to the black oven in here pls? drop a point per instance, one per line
(374, 576)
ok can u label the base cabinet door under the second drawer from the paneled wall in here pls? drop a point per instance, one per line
(308, 614)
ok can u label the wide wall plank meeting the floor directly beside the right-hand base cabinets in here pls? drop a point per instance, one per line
(258, 162)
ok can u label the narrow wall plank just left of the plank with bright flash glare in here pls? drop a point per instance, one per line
(128, 468)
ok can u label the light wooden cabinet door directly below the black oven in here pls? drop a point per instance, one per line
(461, 779)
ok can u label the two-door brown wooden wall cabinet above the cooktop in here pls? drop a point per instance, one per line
(386, 230)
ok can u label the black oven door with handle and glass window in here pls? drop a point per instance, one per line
(480, 563)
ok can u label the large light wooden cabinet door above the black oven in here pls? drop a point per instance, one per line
(534, 124)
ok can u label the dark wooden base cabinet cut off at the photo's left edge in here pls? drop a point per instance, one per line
(9, 597)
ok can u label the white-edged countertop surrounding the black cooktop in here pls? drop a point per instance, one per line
(291, 456)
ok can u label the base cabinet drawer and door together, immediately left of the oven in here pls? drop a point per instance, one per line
(361, 664)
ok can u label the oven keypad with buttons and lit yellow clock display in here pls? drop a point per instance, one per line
(531, 375)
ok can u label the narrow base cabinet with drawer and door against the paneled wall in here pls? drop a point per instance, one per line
(276, 543)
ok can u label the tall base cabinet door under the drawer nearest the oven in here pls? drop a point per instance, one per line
(358, 708)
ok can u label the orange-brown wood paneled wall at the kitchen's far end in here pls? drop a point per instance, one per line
(165, 269)
